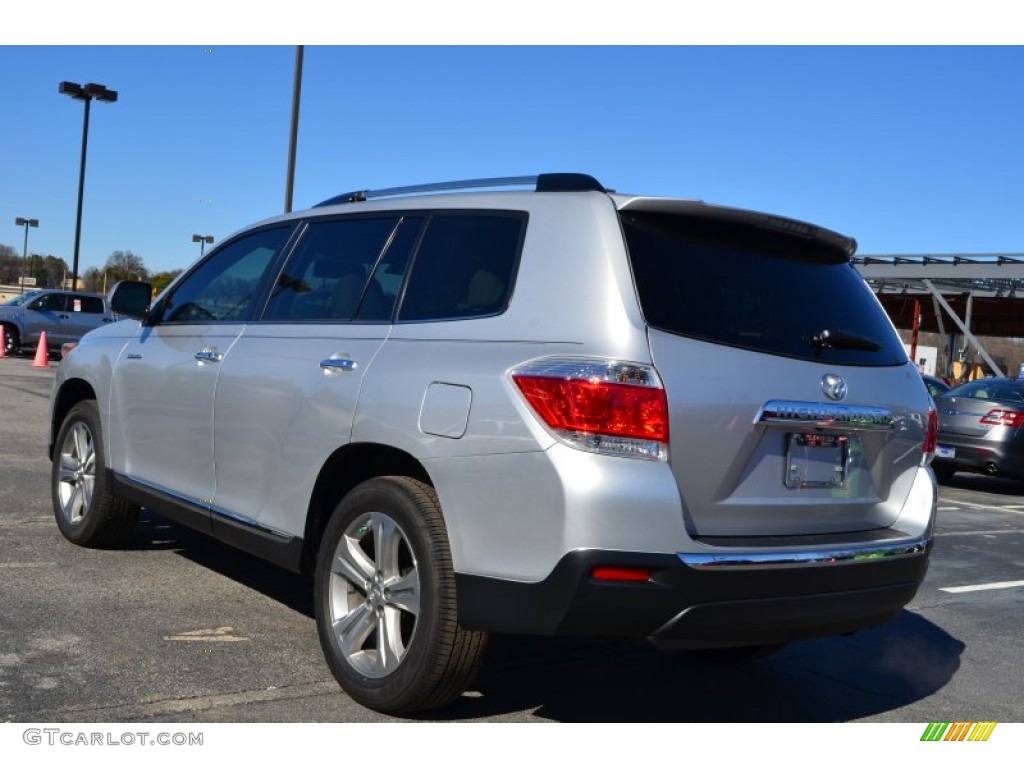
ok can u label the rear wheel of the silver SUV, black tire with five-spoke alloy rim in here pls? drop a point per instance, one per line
(386, 583)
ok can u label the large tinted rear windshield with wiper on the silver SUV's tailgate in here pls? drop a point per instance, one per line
(758, 290)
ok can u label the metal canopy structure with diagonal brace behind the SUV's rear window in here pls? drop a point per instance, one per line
(974, 295)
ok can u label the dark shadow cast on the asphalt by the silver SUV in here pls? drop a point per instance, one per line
(569, 679)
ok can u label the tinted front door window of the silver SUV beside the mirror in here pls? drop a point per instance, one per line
(225, 286)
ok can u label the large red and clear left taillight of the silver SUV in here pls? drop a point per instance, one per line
(607, 407)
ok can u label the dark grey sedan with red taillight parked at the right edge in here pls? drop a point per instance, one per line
(982, 430)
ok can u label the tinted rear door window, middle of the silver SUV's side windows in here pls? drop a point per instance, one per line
(327, 279)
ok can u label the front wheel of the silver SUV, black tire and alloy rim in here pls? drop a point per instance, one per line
(88, 513)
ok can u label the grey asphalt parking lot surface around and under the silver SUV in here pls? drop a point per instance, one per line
(179, 628)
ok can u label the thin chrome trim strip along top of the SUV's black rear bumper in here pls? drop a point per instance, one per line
(816, 559)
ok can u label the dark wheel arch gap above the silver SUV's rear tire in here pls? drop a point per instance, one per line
(347, 468)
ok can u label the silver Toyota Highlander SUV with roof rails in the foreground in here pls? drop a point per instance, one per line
(560, 410)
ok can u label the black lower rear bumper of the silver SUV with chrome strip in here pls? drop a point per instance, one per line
(698, 602)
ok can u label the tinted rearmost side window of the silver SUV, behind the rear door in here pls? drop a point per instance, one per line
(464, 268)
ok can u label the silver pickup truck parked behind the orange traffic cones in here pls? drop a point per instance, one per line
(65, 316)
